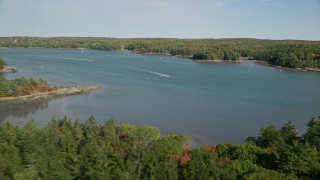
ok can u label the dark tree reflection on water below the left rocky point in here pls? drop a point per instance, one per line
(21, 109)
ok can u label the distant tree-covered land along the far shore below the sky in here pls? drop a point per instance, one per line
(284, 53)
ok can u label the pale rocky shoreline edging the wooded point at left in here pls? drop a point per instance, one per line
(63, 91)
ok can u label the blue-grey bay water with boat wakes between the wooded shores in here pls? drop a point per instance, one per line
(214, 103)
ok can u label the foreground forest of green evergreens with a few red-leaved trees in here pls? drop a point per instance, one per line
(73, 149)
